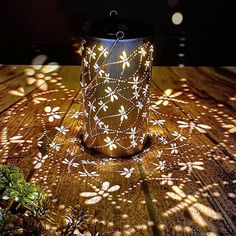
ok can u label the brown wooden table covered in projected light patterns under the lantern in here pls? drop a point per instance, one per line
(182, 184)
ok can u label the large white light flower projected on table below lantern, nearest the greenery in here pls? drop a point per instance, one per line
(95, 197)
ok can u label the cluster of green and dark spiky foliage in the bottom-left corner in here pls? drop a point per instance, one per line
(25, 210)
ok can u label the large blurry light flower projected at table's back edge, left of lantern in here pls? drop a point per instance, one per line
(38, 73)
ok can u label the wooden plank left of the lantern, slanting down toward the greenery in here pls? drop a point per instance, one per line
(26, 118)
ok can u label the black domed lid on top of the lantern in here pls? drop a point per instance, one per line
(108, 28)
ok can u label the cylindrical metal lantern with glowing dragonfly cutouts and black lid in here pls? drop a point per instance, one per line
(116, 74)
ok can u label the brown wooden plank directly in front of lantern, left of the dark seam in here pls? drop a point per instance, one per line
(78, 171)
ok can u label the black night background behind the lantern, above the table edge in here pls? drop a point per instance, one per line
(53, 27)
